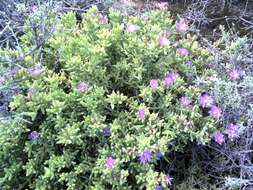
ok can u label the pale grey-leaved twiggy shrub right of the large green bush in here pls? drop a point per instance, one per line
(231, 164)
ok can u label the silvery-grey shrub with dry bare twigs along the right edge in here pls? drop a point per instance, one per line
(227, 165)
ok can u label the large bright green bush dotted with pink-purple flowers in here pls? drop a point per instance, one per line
(111, 96)
